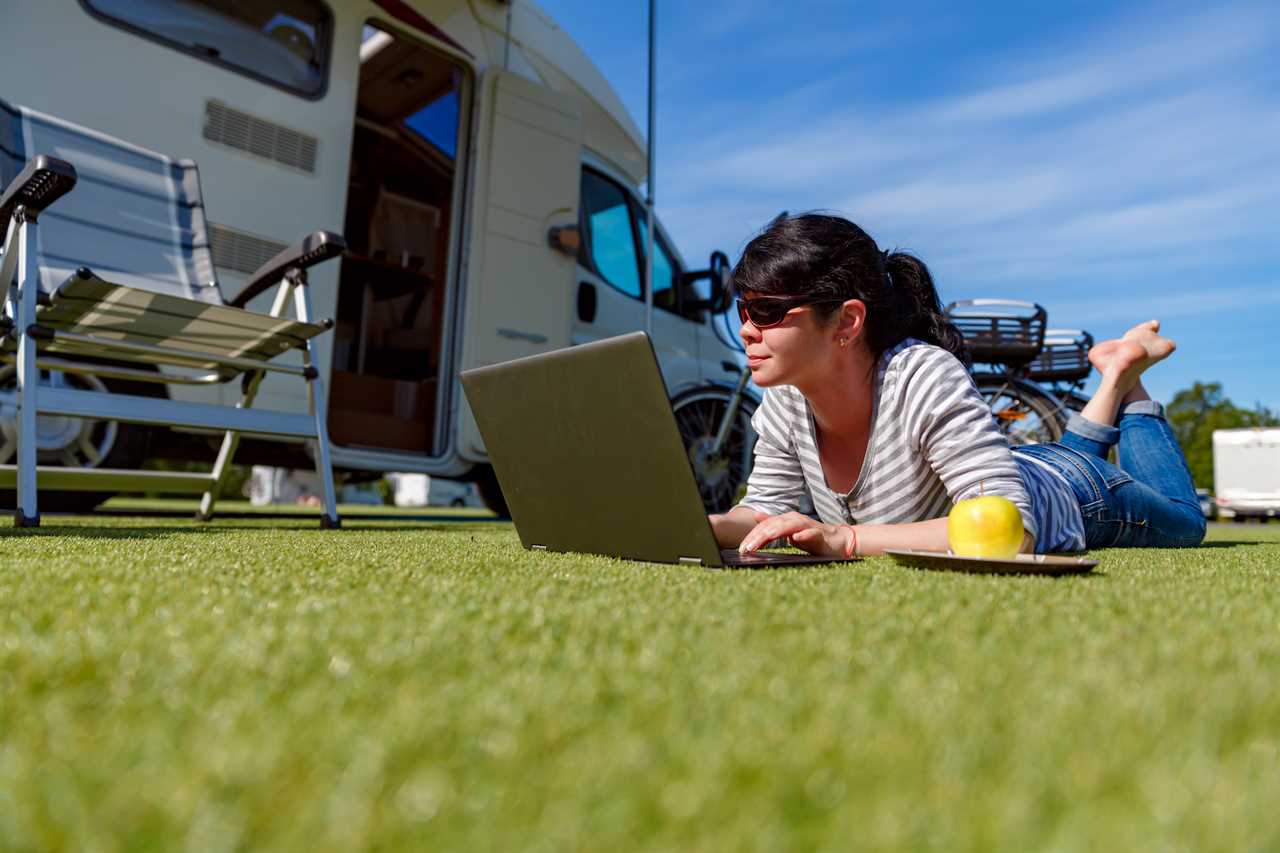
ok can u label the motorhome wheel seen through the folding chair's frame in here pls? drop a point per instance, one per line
(72, 441)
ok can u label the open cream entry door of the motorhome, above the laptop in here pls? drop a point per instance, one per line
(519, 295)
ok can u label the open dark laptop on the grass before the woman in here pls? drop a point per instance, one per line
(589, 459)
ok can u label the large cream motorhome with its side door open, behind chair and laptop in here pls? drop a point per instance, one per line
(484, 174)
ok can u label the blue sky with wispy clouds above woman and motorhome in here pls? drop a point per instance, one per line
(1110, 162)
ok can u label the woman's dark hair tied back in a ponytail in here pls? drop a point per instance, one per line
(829, 257)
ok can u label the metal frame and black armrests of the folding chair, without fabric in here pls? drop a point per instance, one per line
(40, 185)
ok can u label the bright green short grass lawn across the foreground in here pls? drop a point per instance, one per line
(262, 685)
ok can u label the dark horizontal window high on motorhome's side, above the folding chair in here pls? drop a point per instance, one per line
(285, 43)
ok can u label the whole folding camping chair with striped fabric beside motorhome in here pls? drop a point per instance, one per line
(156, 316)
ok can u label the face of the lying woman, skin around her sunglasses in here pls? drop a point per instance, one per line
(793, 353)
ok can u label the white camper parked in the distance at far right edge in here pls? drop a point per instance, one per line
(1247, 472)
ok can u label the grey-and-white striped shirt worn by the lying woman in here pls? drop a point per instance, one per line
(932, 443)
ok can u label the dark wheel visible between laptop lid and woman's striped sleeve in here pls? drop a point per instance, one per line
(721, 476)
